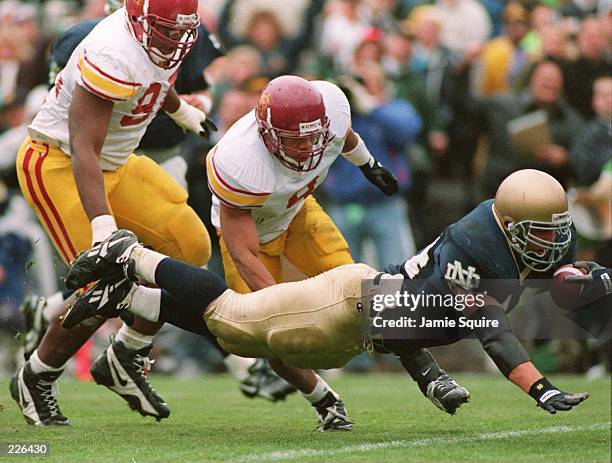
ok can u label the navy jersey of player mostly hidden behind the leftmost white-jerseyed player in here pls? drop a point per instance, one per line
(163, 132)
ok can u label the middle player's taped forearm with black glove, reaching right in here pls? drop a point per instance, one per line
(356, 152)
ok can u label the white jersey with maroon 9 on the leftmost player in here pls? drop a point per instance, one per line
(111, 64)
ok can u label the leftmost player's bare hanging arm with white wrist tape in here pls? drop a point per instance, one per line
(88, 120)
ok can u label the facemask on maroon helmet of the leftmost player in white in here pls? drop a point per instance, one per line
(153, 38)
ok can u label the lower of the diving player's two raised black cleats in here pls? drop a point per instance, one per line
(108, 298)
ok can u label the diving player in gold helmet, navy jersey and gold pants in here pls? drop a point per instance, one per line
(316, 323)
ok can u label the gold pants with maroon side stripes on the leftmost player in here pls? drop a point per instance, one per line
(142, 198)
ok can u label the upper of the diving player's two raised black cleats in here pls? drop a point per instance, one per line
(109, 258)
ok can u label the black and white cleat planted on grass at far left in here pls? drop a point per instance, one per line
(35, 396)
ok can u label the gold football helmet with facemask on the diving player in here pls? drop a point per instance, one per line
(532, 207)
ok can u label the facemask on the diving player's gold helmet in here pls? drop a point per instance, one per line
(546, 253)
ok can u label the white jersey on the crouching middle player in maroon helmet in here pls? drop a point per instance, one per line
(243, 174)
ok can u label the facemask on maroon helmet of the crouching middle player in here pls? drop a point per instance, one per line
(273, 139)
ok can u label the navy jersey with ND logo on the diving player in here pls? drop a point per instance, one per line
(473, 254)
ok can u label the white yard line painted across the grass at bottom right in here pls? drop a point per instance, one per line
(308, 453)
